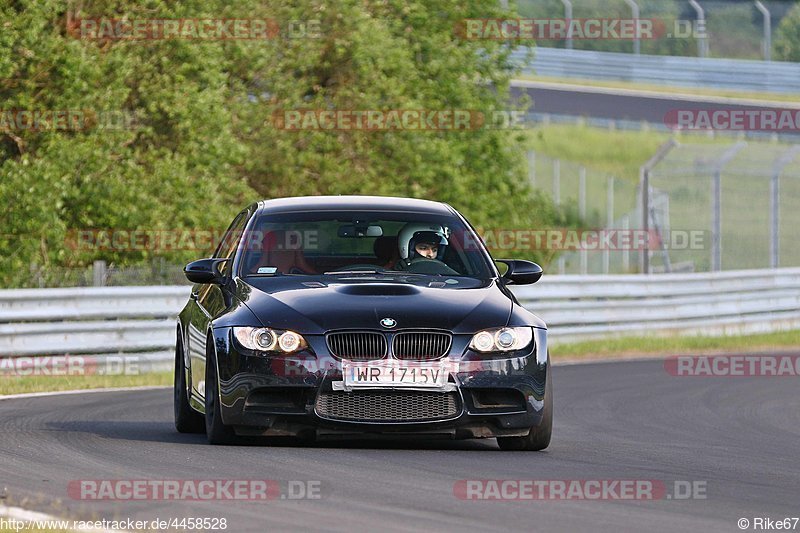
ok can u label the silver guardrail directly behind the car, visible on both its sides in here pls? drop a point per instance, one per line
(140, 321)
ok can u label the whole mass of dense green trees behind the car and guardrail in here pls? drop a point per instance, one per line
(202, 143)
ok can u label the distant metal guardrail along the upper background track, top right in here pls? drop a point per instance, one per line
(731, 74)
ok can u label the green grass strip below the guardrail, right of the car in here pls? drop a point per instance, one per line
(629, 346)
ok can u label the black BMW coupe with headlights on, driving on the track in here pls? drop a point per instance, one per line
(355, 314)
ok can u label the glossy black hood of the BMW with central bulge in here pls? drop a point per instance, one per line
(316, 307)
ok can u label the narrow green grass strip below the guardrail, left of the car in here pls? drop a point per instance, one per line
(21, 385)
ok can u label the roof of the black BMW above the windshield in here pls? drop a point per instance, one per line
(353, 203)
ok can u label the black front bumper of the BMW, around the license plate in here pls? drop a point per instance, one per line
(293, 396)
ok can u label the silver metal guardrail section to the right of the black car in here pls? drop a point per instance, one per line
(723, 303)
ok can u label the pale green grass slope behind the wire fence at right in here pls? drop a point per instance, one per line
(745, 196)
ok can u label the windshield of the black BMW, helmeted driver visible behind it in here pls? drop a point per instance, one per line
(363, 243)
